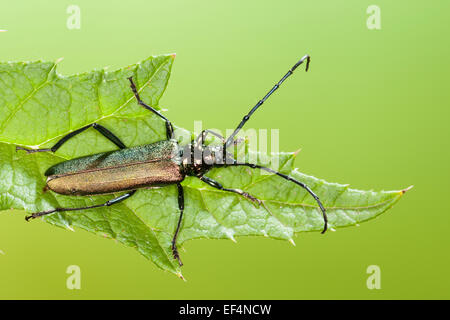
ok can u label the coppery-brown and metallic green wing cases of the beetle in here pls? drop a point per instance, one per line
(150, 165)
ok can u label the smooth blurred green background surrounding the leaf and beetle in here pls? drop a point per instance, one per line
(373, 112)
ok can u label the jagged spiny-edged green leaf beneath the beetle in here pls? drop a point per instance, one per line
(39, 106)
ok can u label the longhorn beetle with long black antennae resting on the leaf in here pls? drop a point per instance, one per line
(152, 165)
